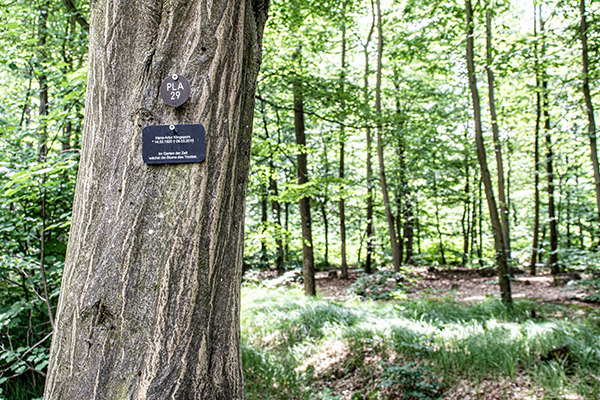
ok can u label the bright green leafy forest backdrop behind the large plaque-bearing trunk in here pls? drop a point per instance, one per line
(321, 141)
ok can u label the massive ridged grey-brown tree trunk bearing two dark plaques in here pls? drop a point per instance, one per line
(150, 298)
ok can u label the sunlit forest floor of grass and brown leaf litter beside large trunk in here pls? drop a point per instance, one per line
(449, 326)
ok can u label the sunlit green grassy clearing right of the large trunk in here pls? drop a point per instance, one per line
(300, 348)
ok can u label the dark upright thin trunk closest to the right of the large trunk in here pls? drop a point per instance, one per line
(308, 263)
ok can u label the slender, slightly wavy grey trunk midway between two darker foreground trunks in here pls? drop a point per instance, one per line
(384, 191)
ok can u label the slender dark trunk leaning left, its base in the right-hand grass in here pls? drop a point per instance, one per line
(485, 173)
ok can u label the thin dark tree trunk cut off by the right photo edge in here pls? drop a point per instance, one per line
(589, 106)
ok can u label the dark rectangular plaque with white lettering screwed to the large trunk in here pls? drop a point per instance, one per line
(174, 144)
